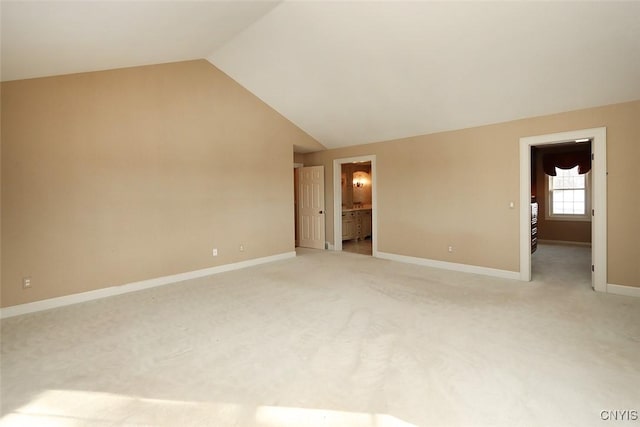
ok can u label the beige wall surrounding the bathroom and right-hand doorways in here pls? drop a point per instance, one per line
(454, 188)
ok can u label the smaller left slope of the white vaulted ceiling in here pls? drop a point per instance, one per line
(44, 38)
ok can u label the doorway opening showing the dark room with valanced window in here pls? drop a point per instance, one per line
(561, 212)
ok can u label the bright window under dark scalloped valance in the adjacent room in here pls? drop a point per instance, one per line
(568, 195)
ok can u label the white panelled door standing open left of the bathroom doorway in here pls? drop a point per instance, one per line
(311, 207)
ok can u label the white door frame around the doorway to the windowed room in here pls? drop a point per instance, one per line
(598, 137)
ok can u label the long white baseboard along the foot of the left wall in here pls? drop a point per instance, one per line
(47, 304)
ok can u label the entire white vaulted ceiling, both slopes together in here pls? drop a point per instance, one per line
(353, 72)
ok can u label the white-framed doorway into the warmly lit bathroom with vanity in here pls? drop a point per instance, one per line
(355, 202)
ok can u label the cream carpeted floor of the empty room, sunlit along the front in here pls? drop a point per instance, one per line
(331, 339)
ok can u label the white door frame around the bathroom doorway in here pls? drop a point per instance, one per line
(337, 201)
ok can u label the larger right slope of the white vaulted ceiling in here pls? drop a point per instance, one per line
(357, 72)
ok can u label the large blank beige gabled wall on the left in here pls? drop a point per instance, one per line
(119, 176)
